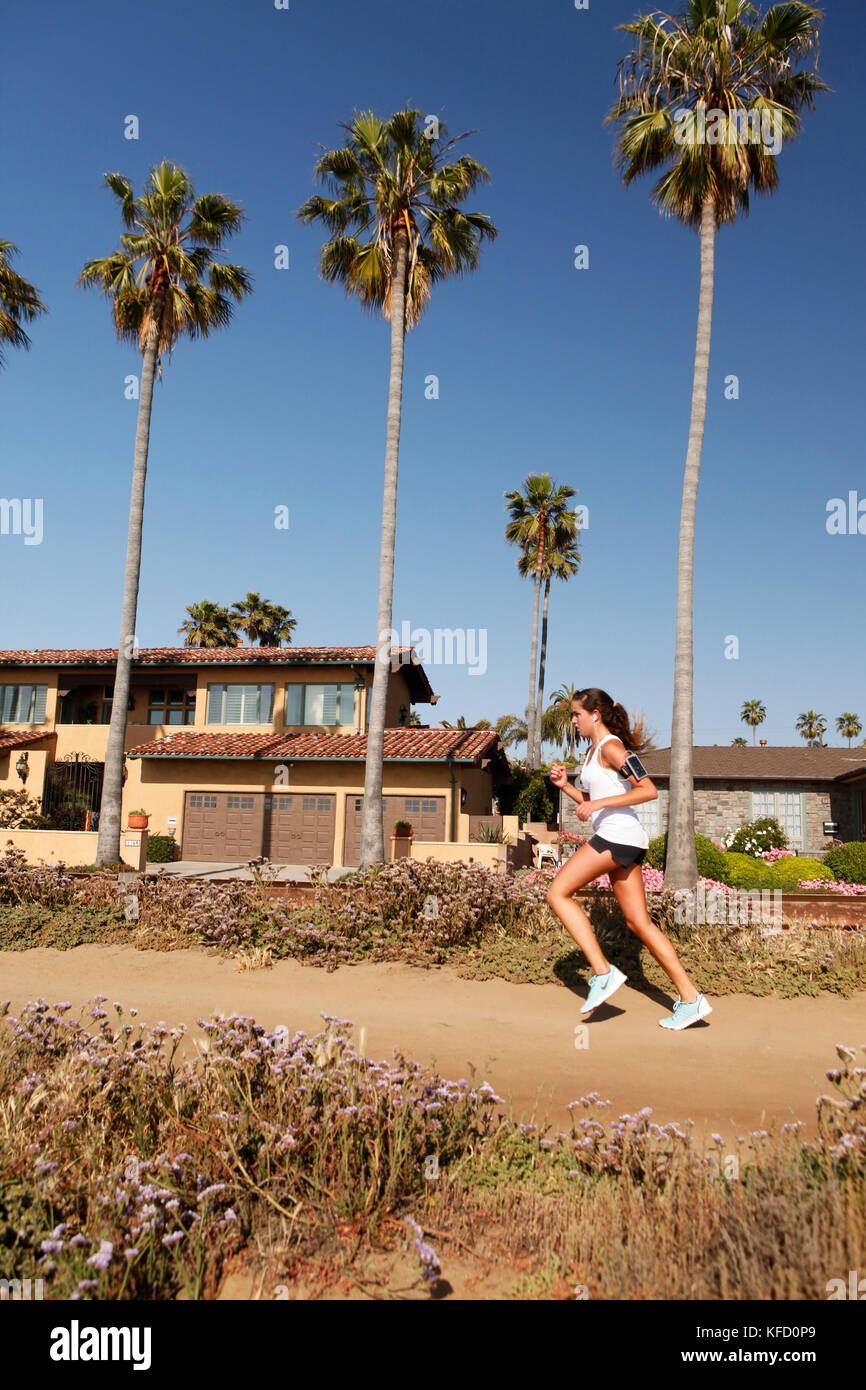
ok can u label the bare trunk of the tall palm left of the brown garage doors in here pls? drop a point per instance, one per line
(108, 846)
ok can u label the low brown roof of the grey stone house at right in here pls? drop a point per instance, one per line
(782, 764)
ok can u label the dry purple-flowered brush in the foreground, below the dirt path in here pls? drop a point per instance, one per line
(129, 1175)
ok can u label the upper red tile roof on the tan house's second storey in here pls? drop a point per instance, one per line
(198, 657)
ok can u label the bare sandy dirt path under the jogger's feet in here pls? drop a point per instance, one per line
(753, 1061)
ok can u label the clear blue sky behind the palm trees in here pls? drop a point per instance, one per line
(543, 368)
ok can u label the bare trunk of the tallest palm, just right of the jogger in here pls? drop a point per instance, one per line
(682, 867)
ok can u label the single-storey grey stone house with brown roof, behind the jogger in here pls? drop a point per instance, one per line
(803, 787)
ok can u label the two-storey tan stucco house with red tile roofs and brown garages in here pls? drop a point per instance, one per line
(243, 751)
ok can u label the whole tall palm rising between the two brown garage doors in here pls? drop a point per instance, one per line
(397, 230)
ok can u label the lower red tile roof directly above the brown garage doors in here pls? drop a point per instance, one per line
(400, 746)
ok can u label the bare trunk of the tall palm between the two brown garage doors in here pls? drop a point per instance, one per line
(373, 846)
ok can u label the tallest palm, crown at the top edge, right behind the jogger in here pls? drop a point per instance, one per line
(718, 59)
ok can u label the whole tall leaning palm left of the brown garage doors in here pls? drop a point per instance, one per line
(173, 234)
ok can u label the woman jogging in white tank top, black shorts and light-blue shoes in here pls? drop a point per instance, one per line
(618, 850)
